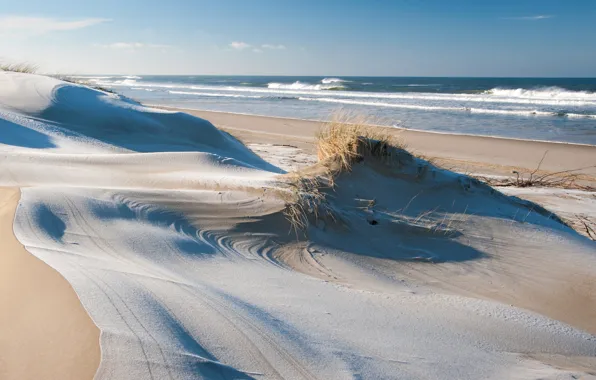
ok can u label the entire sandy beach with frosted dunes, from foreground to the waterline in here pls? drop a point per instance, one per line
(140, 241)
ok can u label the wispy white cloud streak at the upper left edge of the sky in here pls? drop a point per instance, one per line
(42, 25)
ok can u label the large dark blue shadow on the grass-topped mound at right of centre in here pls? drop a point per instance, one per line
(416, 212)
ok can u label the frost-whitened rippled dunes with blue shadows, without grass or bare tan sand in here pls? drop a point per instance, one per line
(172, 234)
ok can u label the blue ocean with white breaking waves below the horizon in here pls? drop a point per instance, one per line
(553, 109)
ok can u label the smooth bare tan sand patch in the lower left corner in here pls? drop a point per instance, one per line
(45, 332)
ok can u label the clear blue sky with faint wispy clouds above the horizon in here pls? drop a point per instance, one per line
(539, 38)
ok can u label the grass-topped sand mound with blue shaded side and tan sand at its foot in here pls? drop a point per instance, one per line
(368, 201)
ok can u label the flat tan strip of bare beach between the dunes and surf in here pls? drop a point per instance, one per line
(461, 152)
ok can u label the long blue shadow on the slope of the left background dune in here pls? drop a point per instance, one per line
(124, 123)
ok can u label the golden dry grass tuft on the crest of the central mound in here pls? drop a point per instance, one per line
(348, 140)
